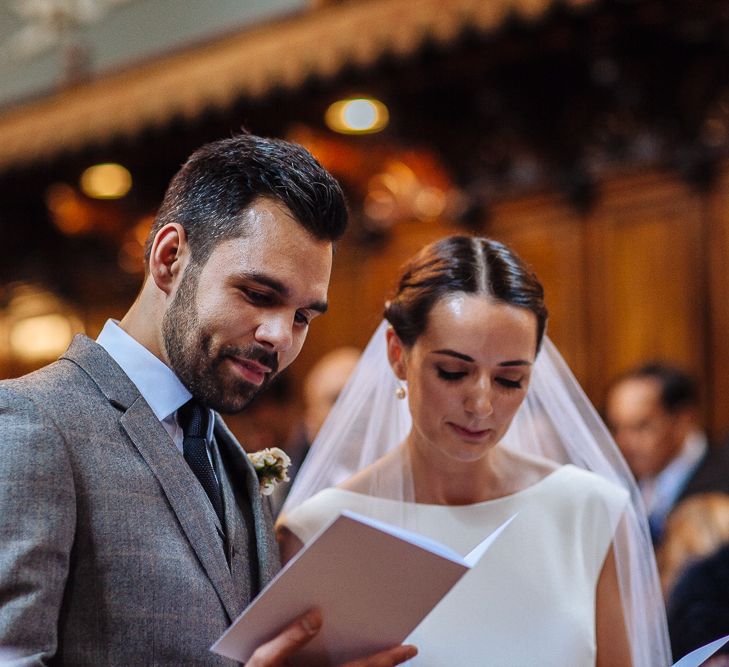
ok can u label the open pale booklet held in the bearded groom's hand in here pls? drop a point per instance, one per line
(373, 582)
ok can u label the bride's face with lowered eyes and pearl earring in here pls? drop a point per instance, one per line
(467, 375)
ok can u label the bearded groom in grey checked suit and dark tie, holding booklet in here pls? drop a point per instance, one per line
(132, 529)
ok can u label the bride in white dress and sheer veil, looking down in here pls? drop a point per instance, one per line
(479, 420)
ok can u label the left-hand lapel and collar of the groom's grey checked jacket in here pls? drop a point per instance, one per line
(185, 495)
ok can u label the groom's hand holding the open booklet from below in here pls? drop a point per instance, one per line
(293, 638)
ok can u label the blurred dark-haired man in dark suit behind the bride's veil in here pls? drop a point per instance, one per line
(653, 412)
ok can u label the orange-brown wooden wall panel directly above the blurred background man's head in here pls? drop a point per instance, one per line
(647, 297)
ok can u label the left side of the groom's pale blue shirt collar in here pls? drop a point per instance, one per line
(156, 381)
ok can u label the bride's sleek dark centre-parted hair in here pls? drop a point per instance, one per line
(468, 264)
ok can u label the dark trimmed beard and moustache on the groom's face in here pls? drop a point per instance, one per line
(199, 367)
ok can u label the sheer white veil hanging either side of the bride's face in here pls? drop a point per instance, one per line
(556, 422)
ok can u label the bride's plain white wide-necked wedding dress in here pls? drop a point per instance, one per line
(531, 600)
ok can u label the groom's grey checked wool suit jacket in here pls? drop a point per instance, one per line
(110, 553)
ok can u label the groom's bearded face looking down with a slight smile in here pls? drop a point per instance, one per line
(242, 317)
